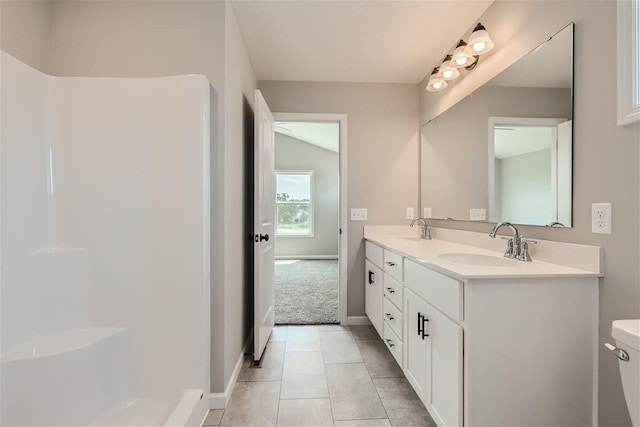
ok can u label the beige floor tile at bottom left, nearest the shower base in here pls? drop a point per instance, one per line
(253, 404)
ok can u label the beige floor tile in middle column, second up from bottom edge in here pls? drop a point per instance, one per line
(304, 376)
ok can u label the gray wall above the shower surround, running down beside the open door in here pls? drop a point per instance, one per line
(159, 38)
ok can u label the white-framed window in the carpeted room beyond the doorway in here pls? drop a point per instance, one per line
(294, 203)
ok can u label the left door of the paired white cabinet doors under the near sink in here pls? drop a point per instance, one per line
(416, 343)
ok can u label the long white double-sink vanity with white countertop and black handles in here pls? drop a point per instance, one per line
(485, 340)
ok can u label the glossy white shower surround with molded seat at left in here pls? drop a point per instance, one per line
(105, 247)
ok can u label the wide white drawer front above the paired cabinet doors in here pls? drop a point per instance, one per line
(442, 292)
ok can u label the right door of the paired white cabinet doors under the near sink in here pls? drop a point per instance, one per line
(444, 369)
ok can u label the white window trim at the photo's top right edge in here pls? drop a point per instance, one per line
(628, 80)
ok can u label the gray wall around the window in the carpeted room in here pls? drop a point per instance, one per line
(291, 155)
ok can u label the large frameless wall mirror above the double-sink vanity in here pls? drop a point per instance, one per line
(456, 175)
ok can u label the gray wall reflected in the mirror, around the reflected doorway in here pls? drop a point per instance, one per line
(455, 157)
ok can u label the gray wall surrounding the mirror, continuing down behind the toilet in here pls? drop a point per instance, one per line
(606, 156)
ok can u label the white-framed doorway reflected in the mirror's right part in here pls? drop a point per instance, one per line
(534, 154)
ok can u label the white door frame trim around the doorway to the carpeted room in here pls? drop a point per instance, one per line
(343, 254)
